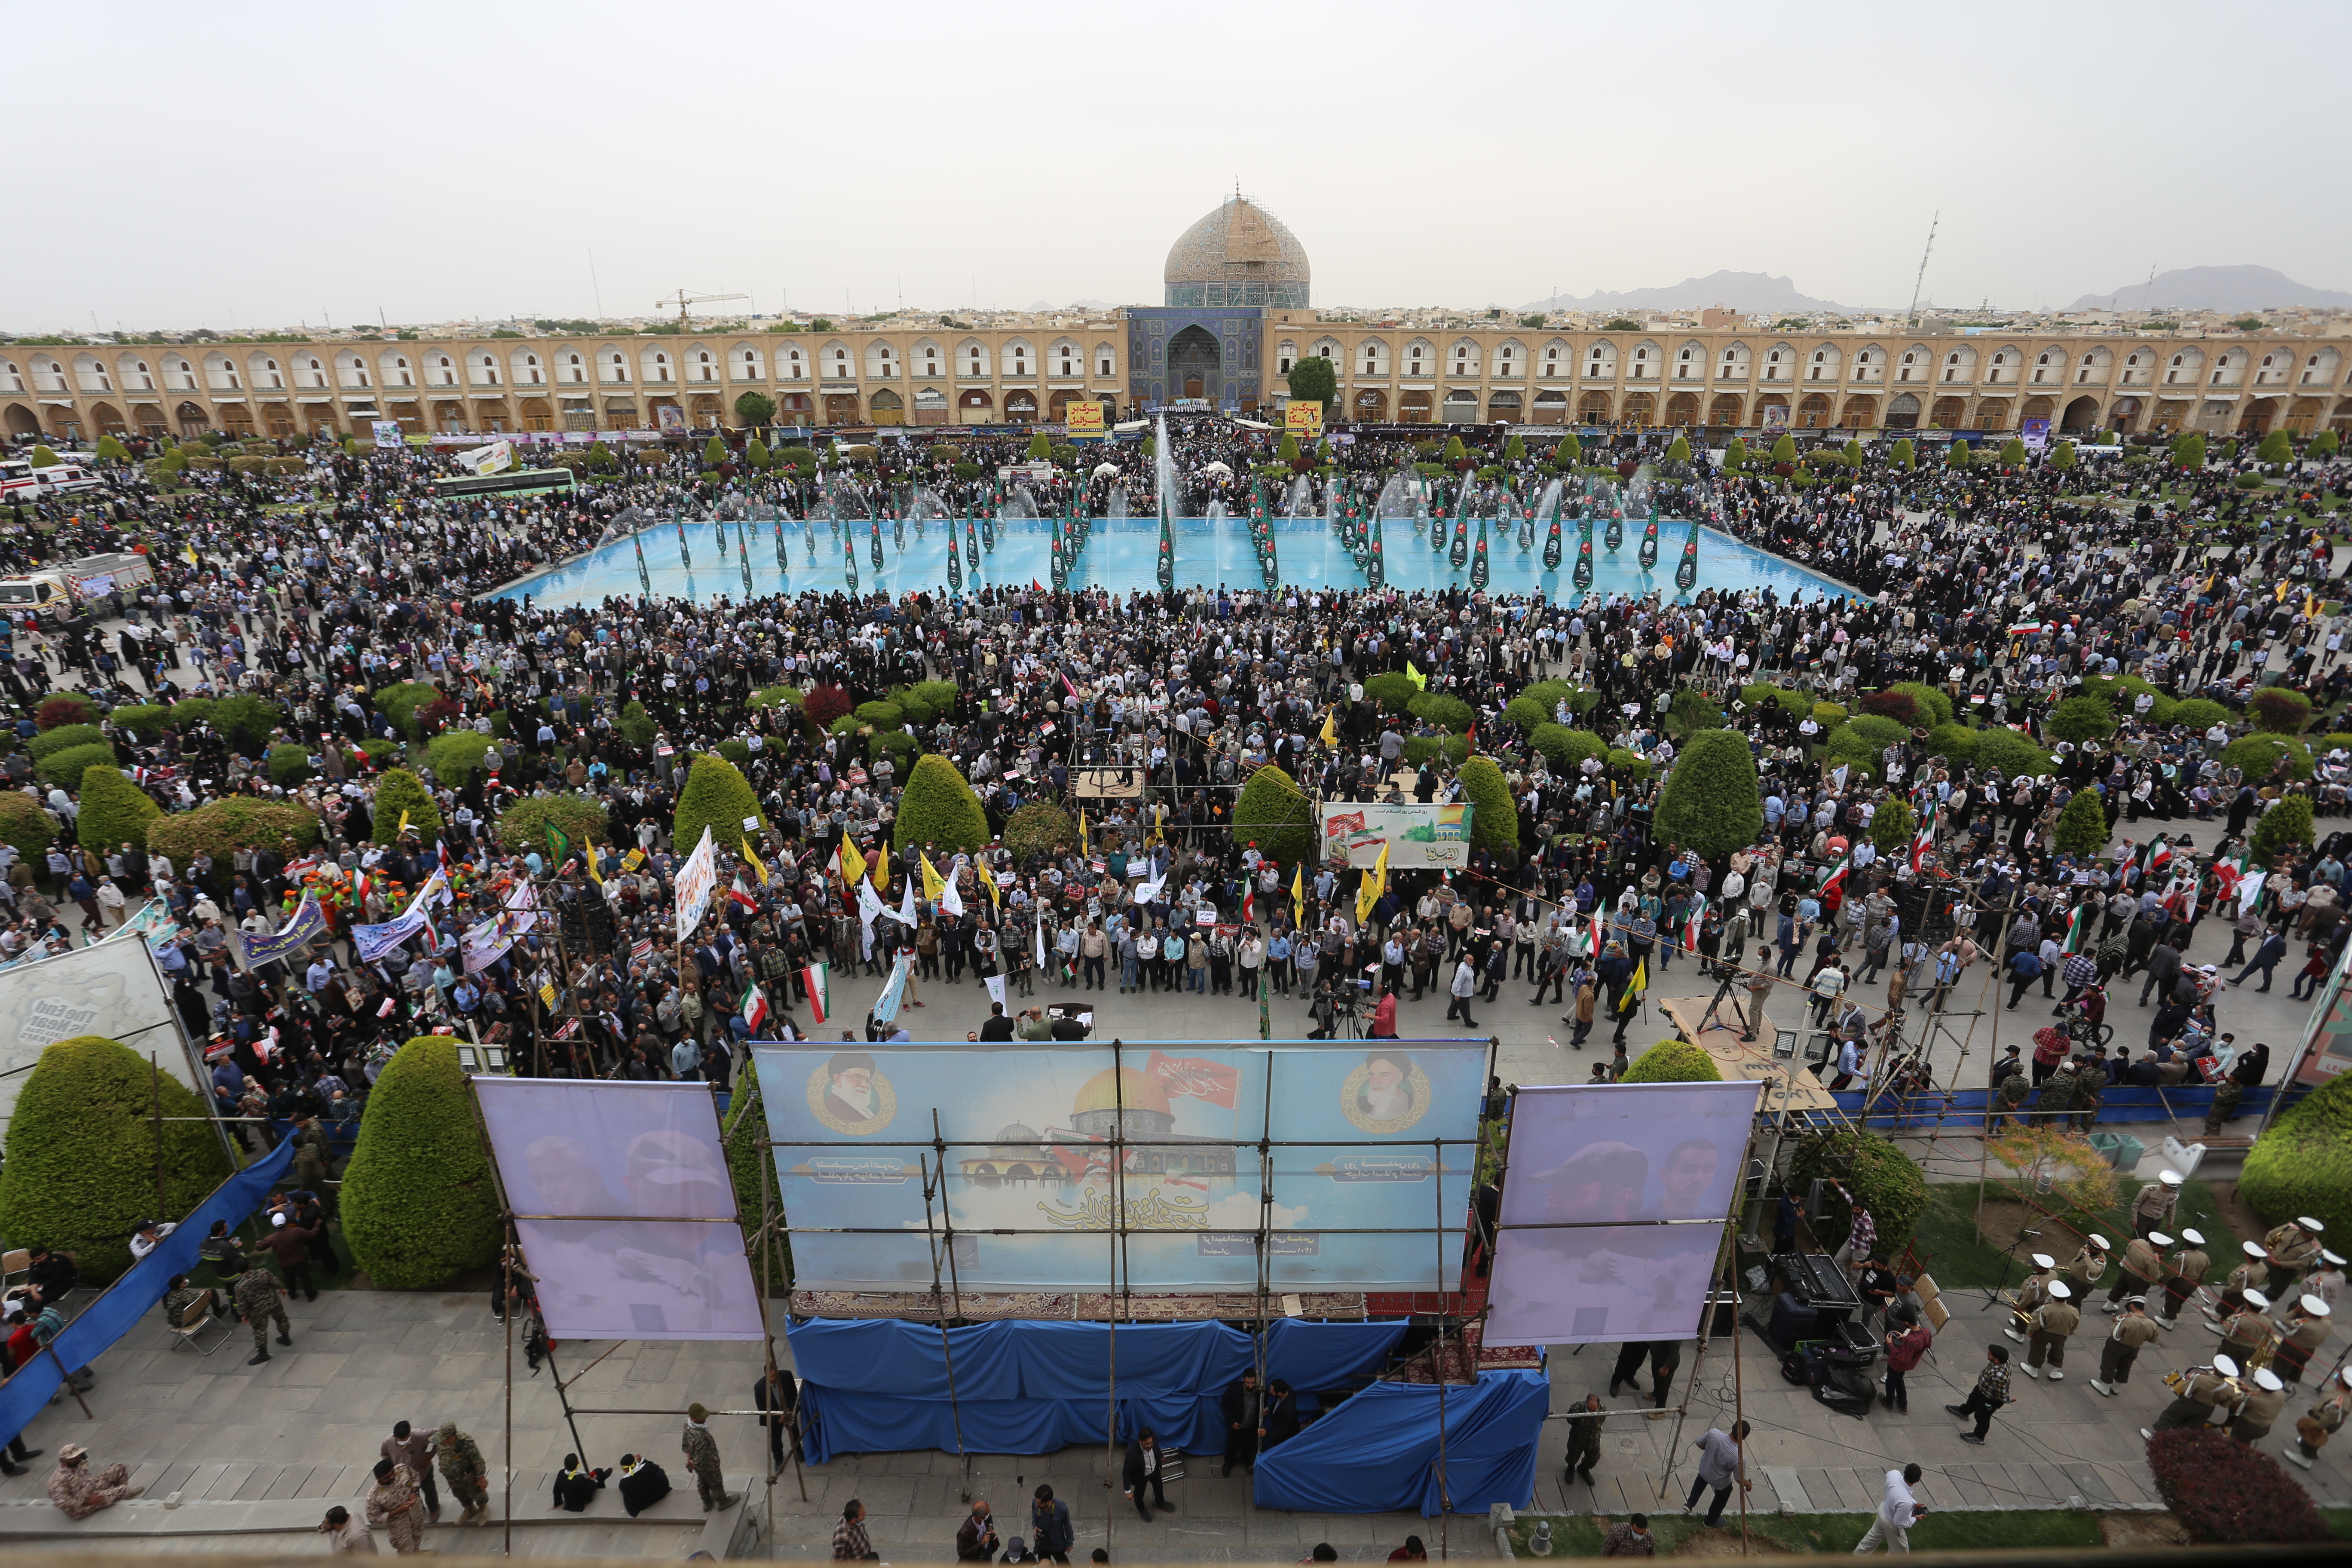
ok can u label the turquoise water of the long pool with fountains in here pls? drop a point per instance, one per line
(1123, 554)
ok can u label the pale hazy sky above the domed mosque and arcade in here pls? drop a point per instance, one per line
(262, 166)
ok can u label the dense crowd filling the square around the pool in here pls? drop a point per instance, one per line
(1991, 596)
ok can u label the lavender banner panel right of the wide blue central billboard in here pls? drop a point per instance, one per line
(1615, 1209)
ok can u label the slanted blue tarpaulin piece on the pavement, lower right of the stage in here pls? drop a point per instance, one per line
(1379, 1452)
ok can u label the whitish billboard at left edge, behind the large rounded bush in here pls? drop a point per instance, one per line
(112, 989)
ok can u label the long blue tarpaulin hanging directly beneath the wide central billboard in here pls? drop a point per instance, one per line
(1034, 1388)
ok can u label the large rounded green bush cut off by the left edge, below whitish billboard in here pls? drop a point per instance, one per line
(81, 1153)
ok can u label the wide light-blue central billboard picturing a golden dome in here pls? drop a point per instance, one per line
(1358, 1195)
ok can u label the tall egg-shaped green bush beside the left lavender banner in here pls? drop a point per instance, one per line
(420, 1205)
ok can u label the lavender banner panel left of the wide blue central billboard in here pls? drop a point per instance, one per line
(624, 1207)
